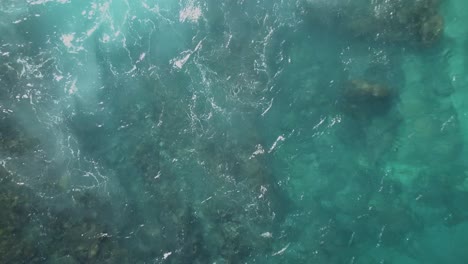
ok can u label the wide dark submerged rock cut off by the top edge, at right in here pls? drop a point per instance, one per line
(414, 22)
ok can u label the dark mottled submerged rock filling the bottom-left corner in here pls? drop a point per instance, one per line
(75, 231)
